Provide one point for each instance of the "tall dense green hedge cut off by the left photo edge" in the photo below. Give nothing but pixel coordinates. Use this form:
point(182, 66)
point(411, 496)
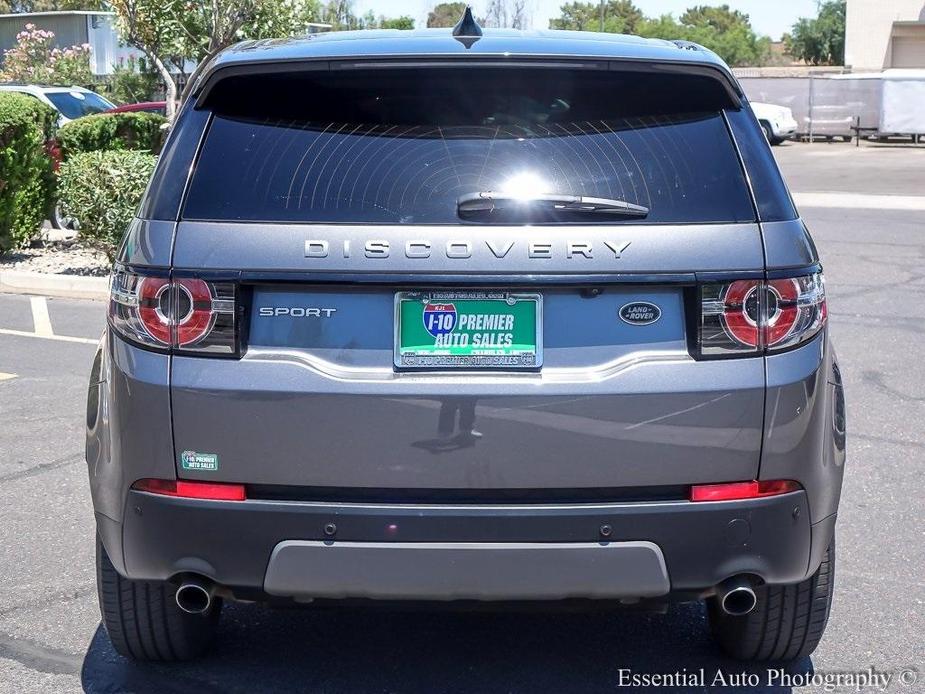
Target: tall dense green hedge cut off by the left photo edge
point(26, 175)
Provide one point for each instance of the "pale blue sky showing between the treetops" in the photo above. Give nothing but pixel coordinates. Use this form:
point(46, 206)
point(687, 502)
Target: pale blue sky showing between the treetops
point(770, 17)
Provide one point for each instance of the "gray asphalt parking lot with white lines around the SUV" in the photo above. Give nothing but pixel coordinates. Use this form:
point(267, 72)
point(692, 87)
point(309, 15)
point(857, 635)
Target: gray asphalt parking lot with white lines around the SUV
point(866, 209)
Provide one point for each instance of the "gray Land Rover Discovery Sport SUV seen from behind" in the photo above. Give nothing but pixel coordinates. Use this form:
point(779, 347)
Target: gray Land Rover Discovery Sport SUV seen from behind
point(448, 315)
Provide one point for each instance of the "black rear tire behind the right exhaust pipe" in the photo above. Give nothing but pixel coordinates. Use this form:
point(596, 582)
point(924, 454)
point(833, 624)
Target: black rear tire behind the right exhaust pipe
point(786, 624)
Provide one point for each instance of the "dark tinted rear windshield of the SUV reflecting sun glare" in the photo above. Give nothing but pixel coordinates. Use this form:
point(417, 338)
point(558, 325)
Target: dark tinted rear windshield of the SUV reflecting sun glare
point(396, 146)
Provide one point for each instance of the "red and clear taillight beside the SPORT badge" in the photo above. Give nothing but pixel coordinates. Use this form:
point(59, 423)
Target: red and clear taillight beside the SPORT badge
point(190, 315)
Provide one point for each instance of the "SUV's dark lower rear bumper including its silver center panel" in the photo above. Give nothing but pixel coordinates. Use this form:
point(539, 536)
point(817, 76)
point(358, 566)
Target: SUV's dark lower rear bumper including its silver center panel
point(621, 550)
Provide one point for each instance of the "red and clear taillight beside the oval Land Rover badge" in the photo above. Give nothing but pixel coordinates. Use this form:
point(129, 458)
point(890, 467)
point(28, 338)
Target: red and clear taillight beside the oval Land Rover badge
point(750, 316)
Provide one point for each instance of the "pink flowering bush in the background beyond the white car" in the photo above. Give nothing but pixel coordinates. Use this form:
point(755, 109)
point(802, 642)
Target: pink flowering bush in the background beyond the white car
point(35, 59)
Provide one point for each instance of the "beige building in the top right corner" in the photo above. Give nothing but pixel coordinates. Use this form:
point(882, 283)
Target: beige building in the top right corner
point(883, 34)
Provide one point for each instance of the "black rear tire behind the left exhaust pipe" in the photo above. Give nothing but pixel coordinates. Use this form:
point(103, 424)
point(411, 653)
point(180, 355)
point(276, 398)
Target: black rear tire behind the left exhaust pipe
point(143, 620)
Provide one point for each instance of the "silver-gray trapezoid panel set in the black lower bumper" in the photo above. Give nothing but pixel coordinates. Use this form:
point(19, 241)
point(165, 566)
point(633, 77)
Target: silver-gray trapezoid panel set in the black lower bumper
point(466, 570)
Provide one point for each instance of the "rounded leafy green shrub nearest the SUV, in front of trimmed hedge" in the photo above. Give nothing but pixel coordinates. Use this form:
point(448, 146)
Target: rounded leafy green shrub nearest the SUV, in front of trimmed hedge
point(101, 190)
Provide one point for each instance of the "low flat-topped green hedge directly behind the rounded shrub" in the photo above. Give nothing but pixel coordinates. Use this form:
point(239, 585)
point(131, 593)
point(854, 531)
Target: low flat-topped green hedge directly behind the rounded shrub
point(113, 131)
